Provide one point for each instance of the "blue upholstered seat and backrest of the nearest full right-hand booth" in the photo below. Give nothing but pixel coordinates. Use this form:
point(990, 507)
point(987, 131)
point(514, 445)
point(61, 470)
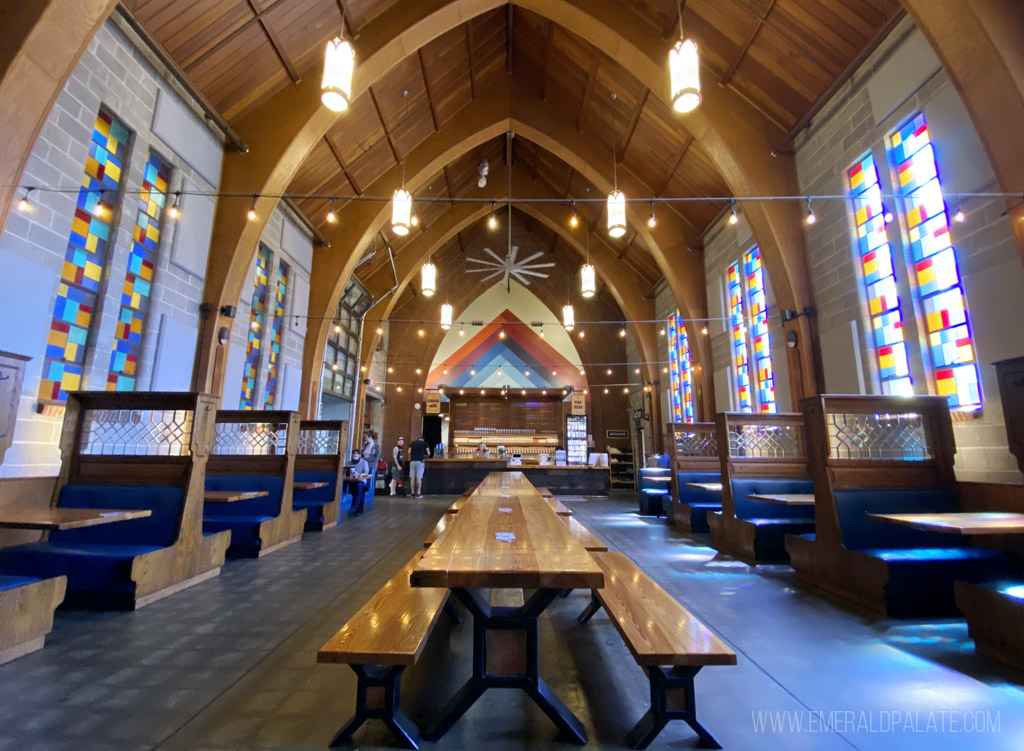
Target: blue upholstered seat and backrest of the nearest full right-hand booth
point(922, 565)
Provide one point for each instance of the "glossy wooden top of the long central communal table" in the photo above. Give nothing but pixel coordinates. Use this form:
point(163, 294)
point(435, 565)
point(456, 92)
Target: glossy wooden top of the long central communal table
point(540, 553)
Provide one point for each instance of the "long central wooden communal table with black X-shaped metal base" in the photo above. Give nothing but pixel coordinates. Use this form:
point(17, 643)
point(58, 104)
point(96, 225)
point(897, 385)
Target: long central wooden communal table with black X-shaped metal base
point(507, 537)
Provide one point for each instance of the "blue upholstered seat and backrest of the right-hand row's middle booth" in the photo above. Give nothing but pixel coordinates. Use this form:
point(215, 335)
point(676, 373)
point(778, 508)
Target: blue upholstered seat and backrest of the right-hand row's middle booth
point(774, 522)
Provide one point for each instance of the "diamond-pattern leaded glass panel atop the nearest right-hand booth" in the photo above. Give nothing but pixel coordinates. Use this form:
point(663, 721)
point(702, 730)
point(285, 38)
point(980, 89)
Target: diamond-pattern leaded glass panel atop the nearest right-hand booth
point(878, 438)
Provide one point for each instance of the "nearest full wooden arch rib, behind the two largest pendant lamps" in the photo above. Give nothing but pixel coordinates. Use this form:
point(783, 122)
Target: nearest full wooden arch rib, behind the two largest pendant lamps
point(285, 130)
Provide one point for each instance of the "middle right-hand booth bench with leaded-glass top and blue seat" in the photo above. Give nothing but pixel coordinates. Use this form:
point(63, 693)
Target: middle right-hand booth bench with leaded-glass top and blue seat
point(761, 455)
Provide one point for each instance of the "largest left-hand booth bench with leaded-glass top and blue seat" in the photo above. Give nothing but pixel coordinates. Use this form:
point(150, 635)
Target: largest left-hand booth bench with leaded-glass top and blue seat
point(113, 444)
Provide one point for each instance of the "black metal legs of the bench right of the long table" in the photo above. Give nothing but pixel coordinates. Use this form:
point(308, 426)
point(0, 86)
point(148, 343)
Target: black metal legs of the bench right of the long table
point(672, 697)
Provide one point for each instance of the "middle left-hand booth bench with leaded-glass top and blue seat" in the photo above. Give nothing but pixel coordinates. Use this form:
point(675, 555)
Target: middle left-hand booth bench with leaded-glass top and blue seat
point(254, 451)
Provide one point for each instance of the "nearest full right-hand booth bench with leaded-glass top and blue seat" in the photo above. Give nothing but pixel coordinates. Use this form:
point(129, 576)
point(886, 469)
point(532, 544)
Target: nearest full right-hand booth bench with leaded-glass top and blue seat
point(885, 455)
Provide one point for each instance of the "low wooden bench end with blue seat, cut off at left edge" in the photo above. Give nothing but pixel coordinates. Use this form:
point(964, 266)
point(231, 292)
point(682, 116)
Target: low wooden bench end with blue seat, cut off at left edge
point(27, 606)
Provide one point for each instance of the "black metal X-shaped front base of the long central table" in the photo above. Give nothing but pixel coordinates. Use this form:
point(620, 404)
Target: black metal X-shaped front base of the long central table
point(523, 676)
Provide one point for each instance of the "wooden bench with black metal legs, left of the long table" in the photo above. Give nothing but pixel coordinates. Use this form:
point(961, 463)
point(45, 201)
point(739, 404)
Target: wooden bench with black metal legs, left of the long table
point(379, 643)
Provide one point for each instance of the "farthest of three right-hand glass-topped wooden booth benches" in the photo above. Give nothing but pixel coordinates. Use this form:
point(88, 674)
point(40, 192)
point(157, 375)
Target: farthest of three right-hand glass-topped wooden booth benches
point(695, 460)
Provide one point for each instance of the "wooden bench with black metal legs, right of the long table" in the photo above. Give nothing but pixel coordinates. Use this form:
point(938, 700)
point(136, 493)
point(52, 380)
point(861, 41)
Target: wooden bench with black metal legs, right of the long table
point(665, 640)
